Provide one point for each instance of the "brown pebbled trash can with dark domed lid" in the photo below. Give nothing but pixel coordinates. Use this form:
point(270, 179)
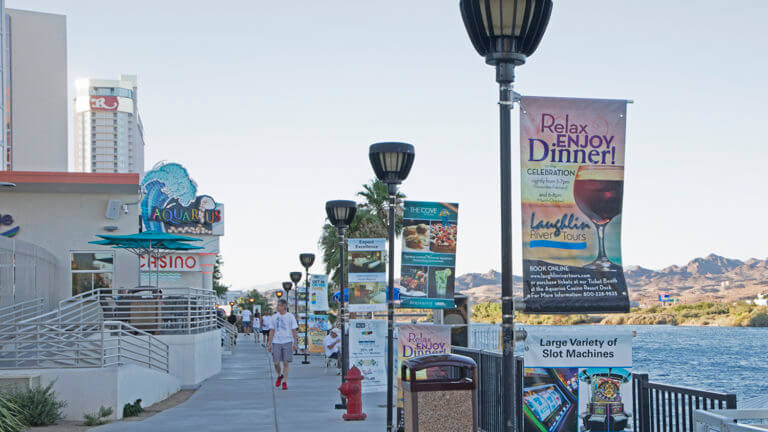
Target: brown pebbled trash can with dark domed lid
point(440, 393)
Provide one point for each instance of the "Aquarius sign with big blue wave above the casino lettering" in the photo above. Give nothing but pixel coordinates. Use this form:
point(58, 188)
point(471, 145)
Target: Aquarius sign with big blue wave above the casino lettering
point(170, 203)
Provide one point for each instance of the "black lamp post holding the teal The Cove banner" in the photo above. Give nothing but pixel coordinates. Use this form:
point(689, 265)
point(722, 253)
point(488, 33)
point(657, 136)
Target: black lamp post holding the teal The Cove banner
point(392, 162)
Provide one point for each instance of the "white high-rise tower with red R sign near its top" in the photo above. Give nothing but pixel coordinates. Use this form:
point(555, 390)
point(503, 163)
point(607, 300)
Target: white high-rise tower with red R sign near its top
point(108, 133)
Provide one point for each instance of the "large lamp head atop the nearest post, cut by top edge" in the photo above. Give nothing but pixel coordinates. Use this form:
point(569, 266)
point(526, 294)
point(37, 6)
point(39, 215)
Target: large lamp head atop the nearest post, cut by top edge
point(510, 32)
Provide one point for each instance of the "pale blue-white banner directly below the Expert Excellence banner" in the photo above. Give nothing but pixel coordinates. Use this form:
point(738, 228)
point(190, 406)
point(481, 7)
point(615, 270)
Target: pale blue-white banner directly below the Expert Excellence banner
point(368, 352)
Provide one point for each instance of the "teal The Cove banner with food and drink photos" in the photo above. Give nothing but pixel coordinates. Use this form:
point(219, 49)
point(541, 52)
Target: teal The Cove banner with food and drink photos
point(428, 265)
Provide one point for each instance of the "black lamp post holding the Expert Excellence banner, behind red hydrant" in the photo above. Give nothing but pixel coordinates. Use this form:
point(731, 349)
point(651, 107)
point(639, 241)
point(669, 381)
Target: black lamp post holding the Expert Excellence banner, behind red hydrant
point(340, 214)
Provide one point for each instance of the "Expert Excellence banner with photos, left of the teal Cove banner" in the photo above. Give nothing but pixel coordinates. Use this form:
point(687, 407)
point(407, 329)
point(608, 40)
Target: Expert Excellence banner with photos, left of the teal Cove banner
point(367, 277)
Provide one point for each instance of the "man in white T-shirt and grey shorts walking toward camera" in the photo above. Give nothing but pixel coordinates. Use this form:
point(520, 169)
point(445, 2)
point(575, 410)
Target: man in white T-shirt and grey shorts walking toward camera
point(282, 337)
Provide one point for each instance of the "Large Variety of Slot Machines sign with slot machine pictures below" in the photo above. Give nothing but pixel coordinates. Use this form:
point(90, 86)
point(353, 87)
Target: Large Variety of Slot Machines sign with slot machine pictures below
point(577, 379)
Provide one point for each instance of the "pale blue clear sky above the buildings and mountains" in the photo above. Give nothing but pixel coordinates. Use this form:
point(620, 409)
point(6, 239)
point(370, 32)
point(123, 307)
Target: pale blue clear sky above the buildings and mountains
point(272, 107)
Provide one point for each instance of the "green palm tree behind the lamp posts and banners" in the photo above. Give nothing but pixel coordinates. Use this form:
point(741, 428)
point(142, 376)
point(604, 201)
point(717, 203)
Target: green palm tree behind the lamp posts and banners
point(370, 222)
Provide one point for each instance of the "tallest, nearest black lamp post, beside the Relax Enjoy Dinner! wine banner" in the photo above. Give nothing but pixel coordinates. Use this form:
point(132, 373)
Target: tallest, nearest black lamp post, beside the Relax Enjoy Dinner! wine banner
point(506, 32)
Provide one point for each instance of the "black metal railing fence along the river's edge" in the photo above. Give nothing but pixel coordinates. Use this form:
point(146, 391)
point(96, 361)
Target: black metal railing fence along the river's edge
point(658, 407)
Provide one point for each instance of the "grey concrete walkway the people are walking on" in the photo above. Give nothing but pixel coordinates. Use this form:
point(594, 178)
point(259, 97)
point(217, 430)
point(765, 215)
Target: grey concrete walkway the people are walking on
point(243, 398)
